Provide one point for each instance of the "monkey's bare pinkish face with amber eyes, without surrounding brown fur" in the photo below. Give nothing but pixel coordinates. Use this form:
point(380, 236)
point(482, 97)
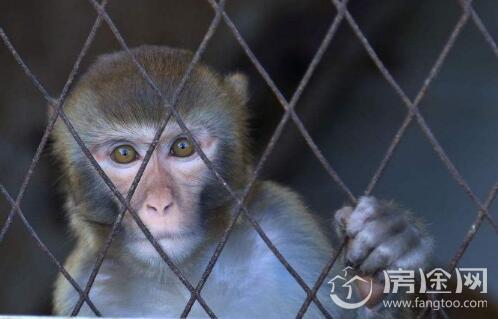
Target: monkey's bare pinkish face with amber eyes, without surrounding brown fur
point(168, 197)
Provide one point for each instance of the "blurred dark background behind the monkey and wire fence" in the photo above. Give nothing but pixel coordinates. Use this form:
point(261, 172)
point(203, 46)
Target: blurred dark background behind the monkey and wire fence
point(349, 109)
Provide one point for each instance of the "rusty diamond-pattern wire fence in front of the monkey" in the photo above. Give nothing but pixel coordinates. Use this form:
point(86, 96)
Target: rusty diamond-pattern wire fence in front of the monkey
point(288, 106)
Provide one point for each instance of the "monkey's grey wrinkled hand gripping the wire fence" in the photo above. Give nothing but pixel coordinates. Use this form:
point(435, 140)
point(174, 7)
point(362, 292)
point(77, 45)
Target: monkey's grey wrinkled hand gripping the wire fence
point(381, 236)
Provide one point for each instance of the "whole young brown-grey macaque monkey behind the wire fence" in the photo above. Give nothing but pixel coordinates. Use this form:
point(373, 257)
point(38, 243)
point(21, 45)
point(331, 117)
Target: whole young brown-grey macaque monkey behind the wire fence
point(116, 113)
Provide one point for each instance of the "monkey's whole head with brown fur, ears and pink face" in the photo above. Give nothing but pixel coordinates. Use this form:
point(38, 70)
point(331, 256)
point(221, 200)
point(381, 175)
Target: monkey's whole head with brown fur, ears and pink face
point(117, 112)
